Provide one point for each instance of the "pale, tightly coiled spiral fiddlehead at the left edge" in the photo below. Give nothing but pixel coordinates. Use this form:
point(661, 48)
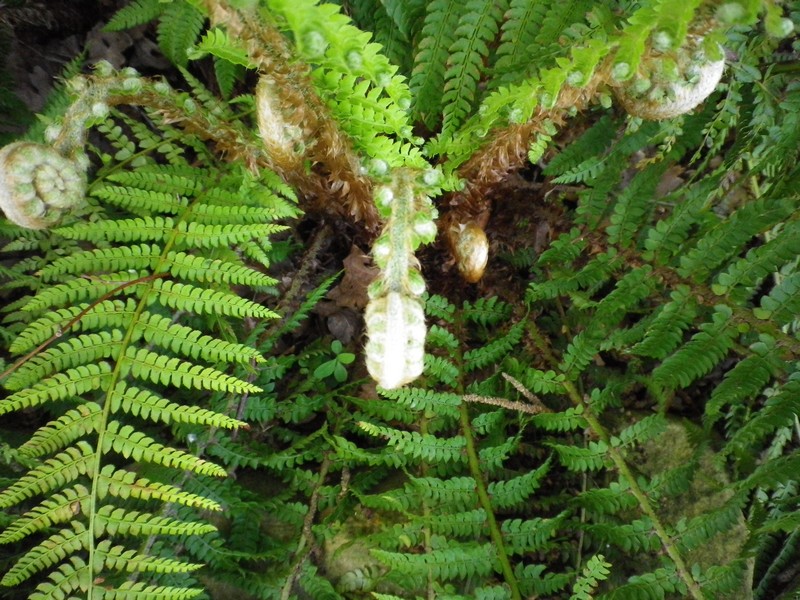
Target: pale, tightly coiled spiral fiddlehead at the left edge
point(38, 185)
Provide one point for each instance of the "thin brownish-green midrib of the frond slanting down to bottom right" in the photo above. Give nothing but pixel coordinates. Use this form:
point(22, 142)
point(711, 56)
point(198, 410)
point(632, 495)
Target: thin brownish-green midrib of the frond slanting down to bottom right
point(622, 467)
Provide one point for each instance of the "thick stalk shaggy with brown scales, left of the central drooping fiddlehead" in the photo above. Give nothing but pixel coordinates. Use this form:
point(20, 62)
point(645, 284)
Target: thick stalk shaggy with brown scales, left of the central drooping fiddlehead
point(335, 184)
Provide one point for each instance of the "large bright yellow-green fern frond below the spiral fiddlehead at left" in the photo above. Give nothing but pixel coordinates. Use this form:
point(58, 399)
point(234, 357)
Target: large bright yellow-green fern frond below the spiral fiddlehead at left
point(129, 354)
